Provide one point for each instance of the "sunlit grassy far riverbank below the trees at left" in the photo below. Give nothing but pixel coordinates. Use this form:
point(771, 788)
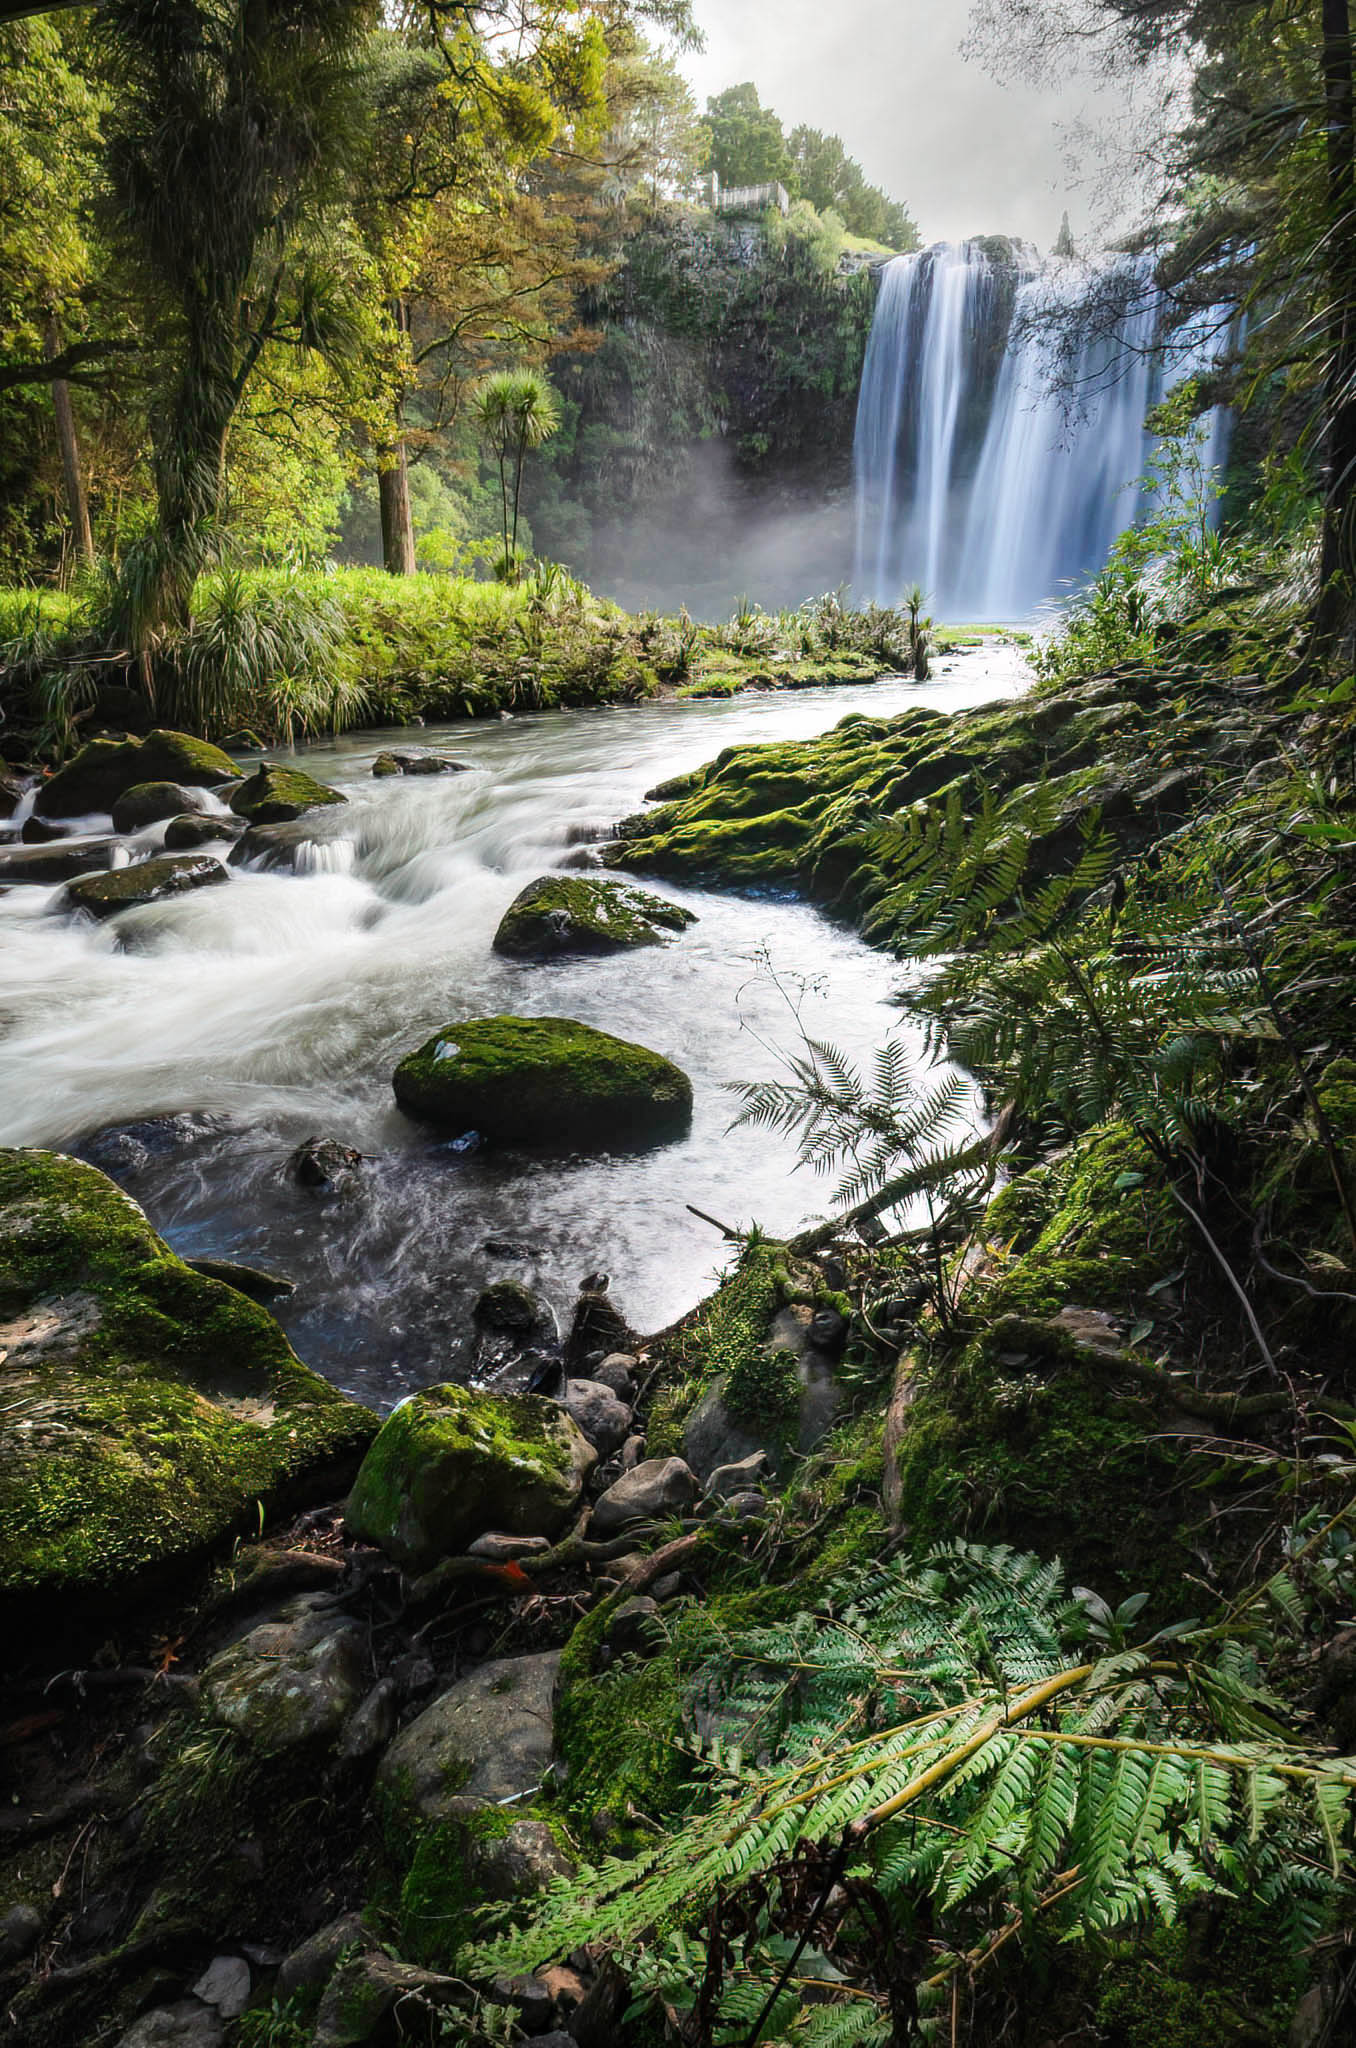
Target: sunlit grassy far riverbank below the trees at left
point(292, 656)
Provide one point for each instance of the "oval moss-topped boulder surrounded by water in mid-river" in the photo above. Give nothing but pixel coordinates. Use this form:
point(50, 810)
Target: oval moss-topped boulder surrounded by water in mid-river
point(544, 1082)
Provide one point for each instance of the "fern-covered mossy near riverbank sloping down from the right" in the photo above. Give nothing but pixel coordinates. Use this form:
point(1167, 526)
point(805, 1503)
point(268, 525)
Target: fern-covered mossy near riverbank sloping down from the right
point(1117, 1334)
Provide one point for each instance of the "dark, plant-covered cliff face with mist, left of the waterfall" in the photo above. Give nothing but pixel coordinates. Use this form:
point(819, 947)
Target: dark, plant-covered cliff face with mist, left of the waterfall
point(708, 447)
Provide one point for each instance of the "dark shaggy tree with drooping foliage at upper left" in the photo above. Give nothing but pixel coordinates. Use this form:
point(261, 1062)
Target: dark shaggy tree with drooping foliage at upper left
point(230, 132)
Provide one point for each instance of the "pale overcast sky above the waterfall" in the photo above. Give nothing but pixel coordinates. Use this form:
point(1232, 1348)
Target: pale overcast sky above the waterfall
point(966, 153)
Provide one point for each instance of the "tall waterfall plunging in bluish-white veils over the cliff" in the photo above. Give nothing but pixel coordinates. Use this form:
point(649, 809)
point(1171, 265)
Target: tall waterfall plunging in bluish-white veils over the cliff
point(982, 474)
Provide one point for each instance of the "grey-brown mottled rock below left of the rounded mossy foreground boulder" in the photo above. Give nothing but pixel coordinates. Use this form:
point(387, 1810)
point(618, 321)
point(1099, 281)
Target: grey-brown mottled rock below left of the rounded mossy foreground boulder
point(292, 1680)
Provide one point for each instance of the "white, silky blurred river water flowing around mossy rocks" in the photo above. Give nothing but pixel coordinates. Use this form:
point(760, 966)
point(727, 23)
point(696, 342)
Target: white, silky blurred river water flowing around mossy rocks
point(192, 1046)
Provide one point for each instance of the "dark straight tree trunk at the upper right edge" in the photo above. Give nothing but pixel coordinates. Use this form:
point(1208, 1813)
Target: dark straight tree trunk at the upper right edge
point(1339, 556)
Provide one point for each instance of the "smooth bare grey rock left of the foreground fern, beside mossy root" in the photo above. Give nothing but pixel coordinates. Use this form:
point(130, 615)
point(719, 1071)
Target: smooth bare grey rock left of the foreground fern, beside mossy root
point(484, 1740)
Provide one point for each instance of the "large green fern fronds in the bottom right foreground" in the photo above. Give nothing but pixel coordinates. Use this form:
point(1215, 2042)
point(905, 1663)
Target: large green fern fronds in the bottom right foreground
point(956, 1736)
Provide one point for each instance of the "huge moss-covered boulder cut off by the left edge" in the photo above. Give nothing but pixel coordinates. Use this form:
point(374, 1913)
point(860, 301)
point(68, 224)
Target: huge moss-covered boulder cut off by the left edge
point(144, 1410)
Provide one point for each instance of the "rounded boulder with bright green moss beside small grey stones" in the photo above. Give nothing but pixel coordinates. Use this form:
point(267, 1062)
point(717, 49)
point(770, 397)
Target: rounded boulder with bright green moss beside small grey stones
point(454, 1463)
